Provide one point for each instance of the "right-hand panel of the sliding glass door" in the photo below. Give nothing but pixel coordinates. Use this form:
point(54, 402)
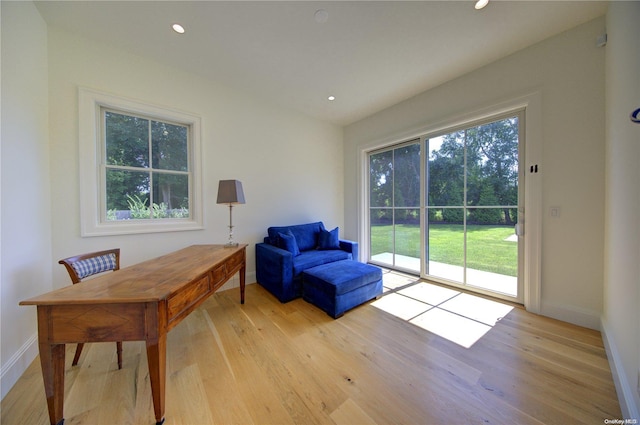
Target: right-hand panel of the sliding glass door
point(472, 206)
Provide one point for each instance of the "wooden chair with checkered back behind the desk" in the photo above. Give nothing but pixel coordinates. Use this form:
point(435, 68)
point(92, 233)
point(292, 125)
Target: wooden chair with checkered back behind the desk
point(85, 265)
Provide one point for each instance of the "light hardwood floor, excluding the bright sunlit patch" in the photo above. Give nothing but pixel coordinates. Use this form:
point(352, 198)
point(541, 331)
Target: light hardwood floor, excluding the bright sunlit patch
point(270, 363)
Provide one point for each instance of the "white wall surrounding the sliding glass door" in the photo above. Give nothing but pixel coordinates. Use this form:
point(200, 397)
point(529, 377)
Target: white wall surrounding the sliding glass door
point(568, 73)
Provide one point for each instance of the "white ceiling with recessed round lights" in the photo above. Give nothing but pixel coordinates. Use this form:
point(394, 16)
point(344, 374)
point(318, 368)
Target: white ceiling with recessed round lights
point(368, 54)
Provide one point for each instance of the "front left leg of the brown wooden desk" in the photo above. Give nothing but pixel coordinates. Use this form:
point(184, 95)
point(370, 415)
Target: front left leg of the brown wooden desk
point(52, 362)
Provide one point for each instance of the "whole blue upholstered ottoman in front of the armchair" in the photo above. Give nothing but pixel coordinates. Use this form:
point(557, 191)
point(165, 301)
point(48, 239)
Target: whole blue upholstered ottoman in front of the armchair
point(340, 286)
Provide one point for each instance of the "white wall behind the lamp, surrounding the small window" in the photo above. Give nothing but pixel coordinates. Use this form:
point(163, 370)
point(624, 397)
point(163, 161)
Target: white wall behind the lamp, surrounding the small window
point(290, 165)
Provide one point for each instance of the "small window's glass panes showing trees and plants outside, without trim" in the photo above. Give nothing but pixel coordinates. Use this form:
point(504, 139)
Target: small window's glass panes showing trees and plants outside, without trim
point(146, 168)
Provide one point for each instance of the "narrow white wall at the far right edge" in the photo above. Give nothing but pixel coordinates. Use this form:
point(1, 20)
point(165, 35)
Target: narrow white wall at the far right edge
point(621, 318)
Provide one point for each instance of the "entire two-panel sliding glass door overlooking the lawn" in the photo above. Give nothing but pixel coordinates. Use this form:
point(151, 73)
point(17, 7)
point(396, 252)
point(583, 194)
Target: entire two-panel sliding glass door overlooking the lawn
point(462, 229)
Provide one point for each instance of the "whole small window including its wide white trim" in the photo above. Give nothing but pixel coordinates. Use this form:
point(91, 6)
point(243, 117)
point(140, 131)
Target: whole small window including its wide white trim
point(138, 167)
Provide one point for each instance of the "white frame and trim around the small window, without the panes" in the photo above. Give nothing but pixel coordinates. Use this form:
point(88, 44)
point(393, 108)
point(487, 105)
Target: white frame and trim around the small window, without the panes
point(92, 186)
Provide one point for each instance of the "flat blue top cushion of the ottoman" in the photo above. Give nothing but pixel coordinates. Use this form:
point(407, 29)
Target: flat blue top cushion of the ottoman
point(340, 277)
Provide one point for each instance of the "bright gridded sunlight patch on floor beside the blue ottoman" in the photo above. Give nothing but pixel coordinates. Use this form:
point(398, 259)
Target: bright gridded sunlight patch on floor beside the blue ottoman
point(459, 317)
